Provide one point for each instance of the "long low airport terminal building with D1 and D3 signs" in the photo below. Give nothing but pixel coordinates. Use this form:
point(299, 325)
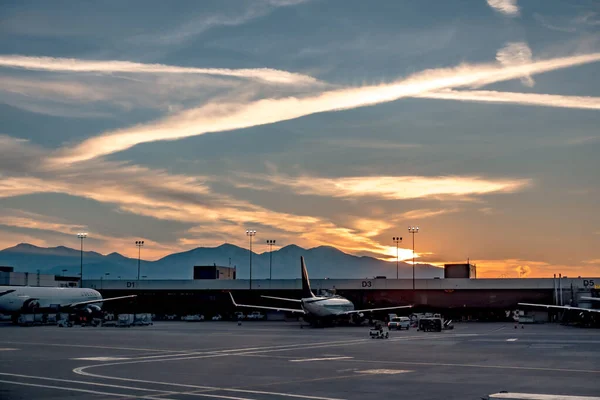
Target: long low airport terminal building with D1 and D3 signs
point(459, 294)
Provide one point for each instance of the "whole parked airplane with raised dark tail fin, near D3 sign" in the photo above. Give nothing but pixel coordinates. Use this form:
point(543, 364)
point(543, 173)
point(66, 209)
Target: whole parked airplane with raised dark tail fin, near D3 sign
point(318, 310)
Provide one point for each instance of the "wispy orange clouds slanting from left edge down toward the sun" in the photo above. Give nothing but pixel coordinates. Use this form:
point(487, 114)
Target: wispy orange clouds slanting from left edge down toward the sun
point(187, 199)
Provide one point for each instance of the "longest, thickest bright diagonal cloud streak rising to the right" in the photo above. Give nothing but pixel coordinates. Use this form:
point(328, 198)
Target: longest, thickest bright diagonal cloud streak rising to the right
point(217, 117)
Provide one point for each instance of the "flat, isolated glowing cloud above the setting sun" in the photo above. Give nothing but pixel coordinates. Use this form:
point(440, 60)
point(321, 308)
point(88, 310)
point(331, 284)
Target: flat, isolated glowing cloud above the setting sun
point(386, 187)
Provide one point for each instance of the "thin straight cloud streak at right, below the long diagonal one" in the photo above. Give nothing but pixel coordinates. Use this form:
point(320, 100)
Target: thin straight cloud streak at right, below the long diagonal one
point(532, 99)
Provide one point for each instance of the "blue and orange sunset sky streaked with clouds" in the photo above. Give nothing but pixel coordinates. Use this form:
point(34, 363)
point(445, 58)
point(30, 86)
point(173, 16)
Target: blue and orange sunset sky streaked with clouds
point(313, 122)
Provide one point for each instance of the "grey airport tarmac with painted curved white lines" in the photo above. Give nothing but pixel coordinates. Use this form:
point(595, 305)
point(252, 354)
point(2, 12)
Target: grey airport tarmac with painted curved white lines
point(278, 360)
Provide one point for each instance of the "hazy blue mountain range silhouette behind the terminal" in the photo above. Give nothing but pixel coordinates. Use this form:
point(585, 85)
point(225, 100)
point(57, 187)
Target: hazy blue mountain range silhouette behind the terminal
point(322, 262)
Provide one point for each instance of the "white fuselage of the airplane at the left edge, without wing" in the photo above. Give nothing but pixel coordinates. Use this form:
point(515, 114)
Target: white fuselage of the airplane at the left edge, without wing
point(11, 303)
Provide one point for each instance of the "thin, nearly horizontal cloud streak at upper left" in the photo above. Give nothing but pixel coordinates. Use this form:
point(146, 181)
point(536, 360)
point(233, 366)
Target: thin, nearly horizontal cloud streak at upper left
point(113, 66)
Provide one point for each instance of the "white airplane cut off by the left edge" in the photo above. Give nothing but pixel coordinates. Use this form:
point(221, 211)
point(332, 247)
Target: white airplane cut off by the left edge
point(16, 300)
